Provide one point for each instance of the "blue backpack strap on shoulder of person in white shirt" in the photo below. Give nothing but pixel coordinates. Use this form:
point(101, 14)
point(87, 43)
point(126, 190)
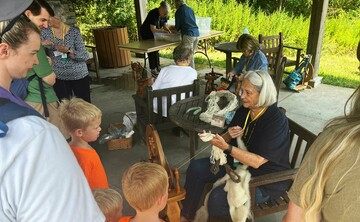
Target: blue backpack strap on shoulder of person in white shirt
point(10, 111)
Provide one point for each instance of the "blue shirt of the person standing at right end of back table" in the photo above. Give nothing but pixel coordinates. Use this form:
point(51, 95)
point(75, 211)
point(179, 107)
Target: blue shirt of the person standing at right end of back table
point(185, 21)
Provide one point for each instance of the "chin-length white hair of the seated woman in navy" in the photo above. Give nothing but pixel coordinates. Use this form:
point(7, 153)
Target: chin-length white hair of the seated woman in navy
point(264, 84)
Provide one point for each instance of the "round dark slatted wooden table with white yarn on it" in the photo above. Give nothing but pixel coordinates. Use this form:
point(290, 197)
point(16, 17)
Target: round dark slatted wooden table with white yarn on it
point(190, 122)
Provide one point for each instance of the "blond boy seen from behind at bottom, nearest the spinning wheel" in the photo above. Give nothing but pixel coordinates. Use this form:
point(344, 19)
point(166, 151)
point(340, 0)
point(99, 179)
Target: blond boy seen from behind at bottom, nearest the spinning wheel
point(145, 187)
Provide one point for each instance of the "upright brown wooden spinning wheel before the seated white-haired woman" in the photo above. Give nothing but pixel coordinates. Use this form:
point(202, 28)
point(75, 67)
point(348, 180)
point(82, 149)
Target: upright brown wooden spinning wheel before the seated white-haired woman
point(156, 155)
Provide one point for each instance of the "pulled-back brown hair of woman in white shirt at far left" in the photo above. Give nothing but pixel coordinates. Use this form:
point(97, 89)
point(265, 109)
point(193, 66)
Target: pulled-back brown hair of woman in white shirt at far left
point(19, 33)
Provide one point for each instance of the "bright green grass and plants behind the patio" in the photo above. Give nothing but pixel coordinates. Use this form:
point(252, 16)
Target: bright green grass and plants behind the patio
point(342, 30)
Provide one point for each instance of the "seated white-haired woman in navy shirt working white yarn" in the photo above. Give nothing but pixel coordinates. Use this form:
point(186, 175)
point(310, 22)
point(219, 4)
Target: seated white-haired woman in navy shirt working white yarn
point(265, 132)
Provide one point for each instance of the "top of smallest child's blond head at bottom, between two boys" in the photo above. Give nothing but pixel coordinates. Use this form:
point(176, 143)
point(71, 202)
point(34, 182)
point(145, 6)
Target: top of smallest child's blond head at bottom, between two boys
point(110, 203)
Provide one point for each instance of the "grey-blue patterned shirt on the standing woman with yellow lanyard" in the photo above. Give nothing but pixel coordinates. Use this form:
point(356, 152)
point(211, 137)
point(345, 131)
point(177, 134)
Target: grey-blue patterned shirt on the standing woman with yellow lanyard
point(73, 68)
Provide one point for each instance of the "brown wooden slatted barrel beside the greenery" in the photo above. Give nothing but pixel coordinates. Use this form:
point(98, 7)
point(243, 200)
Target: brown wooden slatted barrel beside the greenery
point(107, 40)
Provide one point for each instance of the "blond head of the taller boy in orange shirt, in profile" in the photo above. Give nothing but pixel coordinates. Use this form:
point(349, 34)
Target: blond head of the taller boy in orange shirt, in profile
point(81, 118)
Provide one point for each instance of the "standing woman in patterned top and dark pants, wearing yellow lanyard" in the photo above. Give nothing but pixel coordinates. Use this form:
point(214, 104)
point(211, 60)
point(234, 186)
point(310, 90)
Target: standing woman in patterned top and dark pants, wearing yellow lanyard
point(69, 55)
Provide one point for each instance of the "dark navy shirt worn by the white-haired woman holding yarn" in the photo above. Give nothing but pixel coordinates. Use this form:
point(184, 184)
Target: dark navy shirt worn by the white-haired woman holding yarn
point(269, 137)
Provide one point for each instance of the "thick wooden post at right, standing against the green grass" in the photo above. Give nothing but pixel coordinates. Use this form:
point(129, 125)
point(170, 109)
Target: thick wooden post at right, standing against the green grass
point(316, 34)
